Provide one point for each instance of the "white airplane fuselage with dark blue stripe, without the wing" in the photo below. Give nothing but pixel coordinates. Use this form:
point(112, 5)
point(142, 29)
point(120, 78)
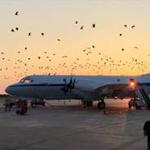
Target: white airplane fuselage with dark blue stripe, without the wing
point(60, 87)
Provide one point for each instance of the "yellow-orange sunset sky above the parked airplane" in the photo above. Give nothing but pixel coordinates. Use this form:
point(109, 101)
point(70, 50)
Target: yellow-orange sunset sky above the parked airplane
point(117, 45)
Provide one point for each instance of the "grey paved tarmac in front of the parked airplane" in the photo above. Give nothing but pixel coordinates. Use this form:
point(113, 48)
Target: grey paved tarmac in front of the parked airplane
point(72, 127)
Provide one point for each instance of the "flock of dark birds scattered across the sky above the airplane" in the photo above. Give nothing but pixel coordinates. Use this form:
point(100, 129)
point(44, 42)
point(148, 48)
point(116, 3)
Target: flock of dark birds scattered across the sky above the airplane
point(74, 66)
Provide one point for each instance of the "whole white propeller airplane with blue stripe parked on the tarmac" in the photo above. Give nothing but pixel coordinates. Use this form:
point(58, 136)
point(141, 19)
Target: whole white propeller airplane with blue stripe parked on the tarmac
point(84, 88)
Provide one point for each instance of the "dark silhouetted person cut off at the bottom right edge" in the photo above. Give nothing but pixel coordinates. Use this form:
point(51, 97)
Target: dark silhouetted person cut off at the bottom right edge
point(146, 129)
